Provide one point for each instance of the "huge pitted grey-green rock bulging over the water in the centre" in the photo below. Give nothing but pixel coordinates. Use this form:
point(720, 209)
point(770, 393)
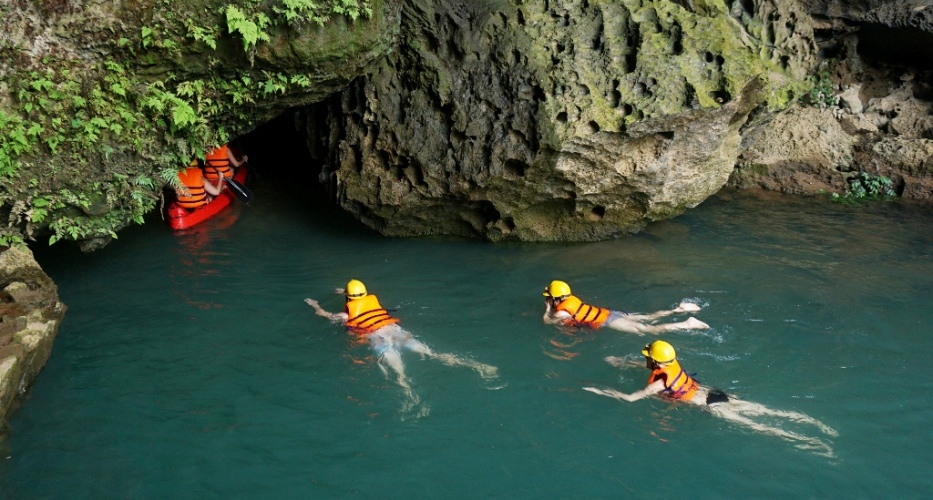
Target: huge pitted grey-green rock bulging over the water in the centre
point(558, 120)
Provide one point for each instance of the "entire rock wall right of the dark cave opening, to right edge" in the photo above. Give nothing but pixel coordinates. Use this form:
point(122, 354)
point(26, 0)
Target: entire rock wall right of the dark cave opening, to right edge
point(575, 120)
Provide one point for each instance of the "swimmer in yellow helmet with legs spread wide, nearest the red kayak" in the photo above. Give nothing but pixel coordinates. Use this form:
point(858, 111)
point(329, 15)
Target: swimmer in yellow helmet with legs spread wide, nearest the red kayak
point(363, 316)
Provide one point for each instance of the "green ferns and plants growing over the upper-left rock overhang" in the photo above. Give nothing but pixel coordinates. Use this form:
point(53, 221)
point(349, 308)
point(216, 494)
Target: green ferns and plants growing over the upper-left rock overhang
point(89, 119)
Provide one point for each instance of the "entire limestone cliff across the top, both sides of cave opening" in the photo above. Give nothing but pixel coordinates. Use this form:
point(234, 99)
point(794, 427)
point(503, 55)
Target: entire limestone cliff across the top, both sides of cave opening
point(502, 119)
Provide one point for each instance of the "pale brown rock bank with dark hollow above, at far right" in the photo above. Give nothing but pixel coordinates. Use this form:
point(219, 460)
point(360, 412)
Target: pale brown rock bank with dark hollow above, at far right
point(877, 116)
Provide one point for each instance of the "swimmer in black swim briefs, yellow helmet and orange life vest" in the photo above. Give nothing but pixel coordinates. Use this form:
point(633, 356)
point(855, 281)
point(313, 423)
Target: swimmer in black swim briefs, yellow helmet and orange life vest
point(670, 381)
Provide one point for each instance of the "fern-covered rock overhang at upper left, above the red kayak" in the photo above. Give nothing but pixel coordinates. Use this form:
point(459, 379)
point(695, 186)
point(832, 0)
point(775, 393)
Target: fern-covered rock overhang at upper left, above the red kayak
point(101, 102)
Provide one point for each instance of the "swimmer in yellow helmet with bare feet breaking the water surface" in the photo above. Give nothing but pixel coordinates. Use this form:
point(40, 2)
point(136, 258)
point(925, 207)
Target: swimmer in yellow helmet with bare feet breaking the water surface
point(563, 308)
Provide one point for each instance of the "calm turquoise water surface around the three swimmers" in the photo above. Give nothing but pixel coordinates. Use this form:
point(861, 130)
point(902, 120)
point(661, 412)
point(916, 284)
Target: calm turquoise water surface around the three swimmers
point(188, 366)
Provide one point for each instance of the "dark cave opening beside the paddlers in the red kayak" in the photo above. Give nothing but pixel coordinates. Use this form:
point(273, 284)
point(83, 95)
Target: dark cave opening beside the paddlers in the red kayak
point(279, 153)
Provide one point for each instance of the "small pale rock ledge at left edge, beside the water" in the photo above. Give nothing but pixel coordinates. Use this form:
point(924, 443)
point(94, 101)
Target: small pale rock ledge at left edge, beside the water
point(30, 315)
